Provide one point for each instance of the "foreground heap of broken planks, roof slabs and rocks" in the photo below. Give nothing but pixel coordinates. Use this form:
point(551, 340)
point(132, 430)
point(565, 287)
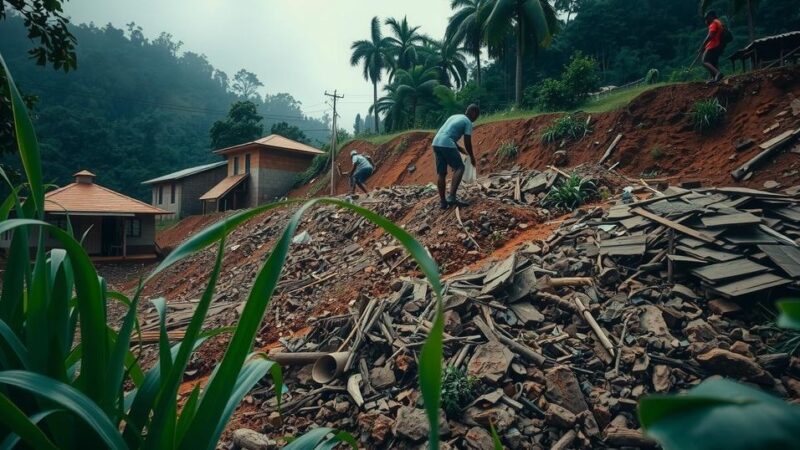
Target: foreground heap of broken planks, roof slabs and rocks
point(554, 345)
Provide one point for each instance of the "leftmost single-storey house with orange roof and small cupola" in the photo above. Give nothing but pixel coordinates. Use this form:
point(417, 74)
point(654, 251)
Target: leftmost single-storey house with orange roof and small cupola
point(109, 223)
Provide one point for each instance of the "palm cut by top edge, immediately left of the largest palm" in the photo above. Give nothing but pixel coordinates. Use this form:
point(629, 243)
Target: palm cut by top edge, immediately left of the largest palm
point(466, 26)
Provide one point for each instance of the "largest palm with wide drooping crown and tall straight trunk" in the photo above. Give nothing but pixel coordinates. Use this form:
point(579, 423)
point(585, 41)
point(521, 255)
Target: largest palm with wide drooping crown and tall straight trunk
point(532, 21)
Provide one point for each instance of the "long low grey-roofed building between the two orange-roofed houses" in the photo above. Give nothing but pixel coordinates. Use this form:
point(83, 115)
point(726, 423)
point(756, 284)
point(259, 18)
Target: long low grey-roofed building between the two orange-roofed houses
point(179, 192)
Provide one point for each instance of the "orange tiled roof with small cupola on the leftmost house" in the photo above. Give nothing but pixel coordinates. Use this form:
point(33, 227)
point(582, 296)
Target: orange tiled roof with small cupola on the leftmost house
point(92, 198)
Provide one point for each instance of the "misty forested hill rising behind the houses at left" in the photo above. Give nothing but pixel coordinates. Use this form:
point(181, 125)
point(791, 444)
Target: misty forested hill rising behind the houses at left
point(134, 108)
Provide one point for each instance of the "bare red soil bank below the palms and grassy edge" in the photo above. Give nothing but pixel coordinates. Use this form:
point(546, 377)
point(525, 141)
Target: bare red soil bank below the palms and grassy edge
point(658, 138)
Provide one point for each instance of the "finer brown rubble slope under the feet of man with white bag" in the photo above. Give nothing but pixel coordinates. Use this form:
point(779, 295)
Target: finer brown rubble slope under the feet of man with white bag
point(341, 254)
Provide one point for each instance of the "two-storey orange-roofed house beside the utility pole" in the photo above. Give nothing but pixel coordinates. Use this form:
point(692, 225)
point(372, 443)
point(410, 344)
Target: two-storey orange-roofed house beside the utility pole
point(258, 172)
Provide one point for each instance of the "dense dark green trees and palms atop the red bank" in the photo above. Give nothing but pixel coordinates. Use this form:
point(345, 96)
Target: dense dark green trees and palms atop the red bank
point(602, 42)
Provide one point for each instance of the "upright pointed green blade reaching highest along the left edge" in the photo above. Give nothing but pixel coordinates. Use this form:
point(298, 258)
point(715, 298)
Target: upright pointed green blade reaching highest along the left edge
point(26, 142)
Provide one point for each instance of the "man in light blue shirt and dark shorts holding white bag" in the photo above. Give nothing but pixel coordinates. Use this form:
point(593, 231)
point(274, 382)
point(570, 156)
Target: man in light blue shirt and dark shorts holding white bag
point(446, 150)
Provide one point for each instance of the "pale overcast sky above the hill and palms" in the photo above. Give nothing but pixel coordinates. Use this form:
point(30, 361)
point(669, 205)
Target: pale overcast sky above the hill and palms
point(297, 46)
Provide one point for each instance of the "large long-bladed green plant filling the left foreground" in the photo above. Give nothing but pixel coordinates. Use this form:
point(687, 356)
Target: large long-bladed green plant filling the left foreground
point(62, 392)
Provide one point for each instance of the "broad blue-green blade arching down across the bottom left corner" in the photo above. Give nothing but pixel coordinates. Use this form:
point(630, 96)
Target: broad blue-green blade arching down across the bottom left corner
point(69, 398)
